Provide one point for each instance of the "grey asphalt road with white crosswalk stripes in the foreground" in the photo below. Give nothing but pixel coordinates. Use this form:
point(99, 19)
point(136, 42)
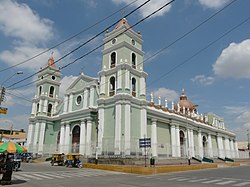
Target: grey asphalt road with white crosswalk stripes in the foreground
point(42, 174)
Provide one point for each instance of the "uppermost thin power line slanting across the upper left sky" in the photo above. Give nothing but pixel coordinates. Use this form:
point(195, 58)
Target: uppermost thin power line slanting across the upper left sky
point(68, 39)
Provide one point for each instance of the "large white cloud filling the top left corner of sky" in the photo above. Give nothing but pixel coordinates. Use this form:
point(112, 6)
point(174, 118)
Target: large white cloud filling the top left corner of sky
point(18, 20)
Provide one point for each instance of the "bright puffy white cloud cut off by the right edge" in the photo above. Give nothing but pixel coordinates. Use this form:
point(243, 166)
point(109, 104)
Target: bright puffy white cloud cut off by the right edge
point(234, 61)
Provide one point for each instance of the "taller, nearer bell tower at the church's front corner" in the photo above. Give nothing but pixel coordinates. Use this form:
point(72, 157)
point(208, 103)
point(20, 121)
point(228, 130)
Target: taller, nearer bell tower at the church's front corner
point(122, 102)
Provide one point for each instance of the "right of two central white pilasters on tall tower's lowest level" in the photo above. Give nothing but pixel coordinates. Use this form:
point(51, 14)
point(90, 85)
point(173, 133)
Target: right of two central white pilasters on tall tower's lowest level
point(127, 134)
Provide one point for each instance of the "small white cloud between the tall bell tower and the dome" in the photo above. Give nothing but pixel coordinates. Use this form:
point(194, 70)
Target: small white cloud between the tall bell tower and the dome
point(165, 93)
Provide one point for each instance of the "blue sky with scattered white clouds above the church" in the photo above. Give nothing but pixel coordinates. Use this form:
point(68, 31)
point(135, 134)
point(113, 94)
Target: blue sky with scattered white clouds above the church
point(202, 46)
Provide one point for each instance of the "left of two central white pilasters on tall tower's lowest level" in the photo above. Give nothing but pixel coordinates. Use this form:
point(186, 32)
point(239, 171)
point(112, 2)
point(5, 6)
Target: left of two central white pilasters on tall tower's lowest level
point(117, 128)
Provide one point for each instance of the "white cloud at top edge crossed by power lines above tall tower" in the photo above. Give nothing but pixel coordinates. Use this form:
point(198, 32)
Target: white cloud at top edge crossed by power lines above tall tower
point(149, 7)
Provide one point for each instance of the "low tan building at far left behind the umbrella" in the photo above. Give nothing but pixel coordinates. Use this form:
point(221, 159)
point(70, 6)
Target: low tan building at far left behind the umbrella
point(18, 136)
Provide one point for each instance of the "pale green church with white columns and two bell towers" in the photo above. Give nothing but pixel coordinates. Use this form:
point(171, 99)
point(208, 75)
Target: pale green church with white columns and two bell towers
point(109, 114)
